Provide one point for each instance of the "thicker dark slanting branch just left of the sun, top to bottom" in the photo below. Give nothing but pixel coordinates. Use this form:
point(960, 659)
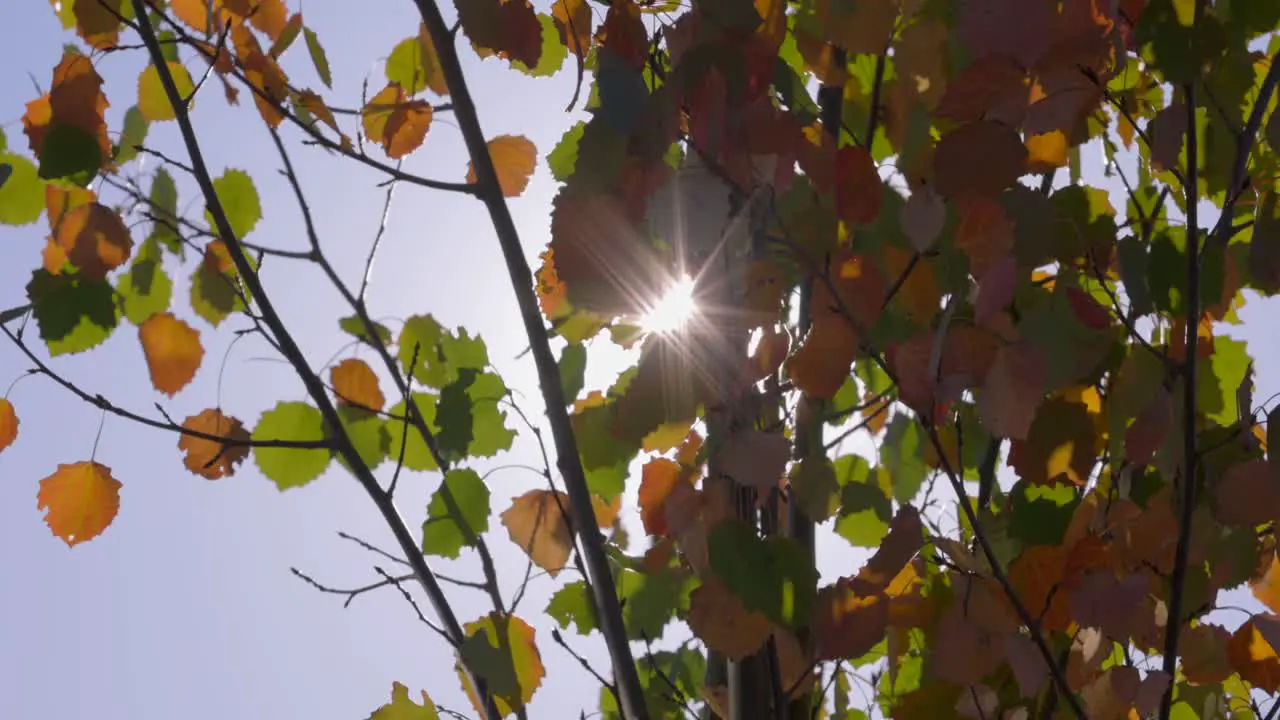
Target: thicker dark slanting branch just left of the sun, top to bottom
point(630, 692)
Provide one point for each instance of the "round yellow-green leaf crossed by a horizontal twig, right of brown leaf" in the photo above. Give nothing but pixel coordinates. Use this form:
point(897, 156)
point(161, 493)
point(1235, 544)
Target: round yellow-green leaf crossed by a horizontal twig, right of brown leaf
point(291, 467)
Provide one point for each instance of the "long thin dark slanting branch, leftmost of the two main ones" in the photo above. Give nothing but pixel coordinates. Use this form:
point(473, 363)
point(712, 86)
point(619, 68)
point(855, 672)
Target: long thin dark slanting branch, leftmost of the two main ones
point(291, 350)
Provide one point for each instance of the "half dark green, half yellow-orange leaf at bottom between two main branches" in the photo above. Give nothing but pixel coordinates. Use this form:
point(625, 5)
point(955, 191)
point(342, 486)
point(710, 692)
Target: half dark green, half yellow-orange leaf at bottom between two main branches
point(501, 649)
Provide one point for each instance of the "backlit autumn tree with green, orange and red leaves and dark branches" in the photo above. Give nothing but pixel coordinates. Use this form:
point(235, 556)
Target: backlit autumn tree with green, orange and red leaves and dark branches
point(1067, 464)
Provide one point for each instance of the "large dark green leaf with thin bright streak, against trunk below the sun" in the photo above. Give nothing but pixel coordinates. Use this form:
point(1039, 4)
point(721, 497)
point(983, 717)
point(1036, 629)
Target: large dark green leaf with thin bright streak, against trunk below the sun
point(770, 576)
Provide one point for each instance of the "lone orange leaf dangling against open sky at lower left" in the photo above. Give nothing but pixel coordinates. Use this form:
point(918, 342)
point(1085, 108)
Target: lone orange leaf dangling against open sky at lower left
point(81, 500)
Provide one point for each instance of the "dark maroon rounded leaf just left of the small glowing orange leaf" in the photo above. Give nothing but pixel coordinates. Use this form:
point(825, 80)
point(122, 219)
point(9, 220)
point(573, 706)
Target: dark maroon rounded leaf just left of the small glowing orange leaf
point(981, 158)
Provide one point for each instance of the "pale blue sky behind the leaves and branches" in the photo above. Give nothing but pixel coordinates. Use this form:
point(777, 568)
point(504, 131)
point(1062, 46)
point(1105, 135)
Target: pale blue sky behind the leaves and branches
point(186, 607)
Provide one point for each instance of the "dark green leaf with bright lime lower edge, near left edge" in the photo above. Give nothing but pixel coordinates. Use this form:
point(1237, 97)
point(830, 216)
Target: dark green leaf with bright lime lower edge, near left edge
point(74, 315)
